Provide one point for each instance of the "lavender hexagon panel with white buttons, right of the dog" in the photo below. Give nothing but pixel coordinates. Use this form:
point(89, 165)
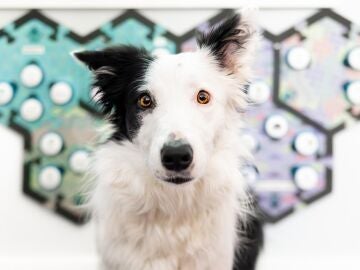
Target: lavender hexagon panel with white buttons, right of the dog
point(291, 157)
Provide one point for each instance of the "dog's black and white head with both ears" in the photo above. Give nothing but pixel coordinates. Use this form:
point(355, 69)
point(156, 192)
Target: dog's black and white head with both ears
point(175, 108)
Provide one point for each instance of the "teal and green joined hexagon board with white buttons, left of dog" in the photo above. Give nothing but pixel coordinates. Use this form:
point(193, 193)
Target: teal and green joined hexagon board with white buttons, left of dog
point(53, 107)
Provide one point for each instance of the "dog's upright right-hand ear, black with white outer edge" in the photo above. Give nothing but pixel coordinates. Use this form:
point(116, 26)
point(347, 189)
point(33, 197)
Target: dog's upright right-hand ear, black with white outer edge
point(232, 42)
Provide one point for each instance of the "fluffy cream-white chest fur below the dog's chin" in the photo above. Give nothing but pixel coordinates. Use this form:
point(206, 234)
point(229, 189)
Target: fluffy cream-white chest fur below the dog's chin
point(157, 226)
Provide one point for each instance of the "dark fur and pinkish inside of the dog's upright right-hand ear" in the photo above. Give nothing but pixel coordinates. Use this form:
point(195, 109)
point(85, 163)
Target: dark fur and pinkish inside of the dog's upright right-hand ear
point(225, 39)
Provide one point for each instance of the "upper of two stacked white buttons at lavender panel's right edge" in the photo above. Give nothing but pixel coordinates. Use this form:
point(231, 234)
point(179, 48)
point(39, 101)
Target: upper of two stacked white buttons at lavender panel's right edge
point(306, 143)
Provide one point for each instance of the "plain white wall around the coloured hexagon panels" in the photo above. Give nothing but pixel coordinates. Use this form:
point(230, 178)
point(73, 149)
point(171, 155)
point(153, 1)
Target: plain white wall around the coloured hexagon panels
point(323, 236)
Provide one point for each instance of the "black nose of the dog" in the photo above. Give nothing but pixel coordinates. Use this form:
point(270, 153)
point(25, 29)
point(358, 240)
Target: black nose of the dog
point(176, 156)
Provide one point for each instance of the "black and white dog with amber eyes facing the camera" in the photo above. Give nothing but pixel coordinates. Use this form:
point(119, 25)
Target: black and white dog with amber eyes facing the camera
point(169, 194)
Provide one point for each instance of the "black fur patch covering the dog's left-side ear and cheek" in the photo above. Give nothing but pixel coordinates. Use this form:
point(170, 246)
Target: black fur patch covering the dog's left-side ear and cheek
point(119, 73)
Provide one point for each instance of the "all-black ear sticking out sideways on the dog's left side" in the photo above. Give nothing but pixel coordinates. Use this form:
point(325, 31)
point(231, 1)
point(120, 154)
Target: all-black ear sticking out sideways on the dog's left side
point(116, 71)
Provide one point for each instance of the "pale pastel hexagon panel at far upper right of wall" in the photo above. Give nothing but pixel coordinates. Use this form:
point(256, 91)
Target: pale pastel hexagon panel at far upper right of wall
point(312, 71)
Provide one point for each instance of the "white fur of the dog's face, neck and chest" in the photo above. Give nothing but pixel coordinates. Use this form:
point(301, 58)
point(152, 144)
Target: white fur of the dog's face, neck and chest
point(144, 223)
